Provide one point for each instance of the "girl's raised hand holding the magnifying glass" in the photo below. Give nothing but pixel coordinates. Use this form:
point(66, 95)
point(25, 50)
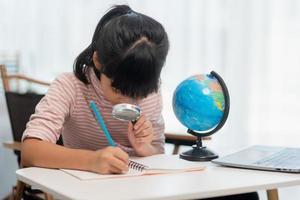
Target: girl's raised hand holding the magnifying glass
point(140, 136)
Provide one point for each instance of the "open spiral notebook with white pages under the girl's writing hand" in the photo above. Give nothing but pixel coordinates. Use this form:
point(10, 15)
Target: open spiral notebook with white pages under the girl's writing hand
point(151, 165)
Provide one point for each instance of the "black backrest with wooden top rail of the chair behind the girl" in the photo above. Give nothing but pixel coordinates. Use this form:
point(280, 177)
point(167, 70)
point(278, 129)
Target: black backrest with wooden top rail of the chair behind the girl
point(20, 105)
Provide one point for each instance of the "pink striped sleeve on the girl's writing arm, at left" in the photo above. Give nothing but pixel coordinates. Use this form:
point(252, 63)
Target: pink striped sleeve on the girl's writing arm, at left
point(53, 110)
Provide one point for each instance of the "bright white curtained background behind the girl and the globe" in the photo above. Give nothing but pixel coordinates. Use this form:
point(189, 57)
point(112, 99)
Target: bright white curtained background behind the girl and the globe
point(253, 44)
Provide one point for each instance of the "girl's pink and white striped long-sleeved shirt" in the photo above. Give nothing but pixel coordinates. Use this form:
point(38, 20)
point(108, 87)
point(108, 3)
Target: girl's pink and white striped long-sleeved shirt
point(65, 110)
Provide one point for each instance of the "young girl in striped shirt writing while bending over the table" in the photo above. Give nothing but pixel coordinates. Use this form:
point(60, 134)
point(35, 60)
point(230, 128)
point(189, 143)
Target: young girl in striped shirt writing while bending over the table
point(121, 65)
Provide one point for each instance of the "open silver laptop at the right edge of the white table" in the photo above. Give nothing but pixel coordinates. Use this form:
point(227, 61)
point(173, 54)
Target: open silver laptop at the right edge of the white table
point(262, 157)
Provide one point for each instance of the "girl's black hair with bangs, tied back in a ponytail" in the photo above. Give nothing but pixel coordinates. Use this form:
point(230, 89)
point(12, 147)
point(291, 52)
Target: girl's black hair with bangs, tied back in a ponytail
point(131, 48)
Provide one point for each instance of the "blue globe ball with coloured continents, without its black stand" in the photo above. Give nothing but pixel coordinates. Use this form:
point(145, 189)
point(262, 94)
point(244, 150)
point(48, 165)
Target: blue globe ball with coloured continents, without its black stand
point(198, 102)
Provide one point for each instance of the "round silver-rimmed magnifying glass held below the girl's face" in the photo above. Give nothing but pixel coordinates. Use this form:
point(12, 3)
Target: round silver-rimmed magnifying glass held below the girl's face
point(126, 112)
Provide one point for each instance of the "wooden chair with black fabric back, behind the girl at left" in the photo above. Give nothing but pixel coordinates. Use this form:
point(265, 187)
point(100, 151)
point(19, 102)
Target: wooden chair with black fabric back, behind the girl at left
point(20, 107)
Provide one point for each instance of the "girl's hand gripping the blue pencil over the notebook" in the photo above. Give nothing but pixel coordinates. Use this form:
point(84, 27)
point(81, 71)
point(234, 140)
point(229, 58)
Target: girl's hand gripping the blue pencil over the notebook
point(110, 160)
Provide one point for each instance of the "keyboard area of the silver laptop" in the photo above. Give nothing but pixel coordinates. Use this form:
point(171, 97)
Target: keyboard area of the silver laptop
point(288, 158)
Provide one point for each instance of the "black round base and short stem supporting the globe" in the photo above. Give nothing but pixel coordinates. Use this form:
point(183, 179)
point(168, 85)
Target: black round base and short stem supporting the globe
point(199, 152)
